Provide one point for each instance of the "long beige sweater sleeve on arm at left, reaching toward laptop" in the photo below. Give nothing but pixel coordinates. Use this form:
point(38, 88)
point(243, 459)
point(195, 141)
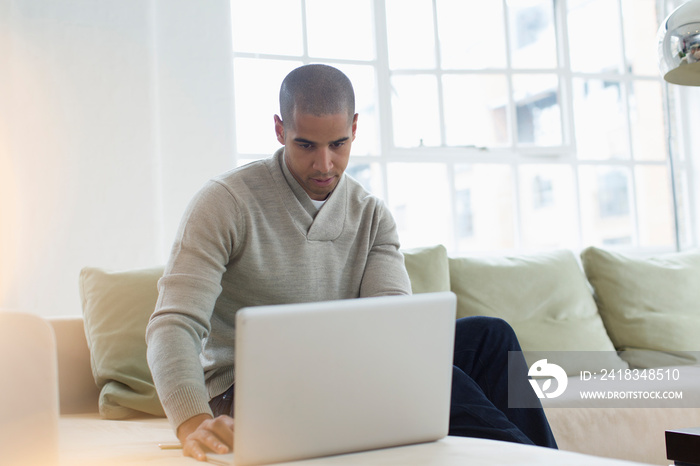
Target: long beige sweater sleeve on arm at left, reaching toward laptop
point(188, 292)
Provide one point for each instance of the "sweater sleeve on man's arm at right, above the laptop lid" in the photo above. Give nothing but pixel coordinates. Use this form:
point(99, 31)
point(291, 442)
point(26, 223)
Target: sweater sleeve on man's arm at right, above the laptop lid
point(385, 272)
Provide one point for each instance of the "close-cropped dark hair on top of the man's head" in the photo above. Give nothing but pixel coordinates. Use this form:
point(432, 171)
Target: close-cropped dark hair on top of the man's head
point(316, 90)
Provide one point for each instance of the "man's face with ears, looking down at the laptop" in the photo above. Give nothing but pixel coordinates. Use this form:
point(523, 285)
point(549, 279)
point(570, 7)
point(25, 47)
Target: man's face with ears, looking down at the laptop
point(317, 149)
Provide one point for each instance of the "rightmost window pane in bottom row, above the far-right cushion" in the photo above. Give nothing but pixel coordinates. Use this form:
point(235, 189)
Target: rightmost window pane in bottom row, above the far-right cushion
point(655, 206)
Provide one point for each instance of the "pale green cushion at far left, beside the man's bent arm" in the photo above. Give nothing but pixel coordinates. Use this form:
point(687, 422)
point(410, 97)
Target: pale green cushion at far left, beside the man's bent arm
point(116, 309)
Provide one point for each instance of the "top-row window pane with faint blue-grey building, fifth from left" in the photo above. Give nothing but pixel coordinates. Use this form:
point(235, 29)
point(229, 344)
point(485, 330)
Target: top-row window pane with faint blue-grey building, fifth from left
point(532, 33)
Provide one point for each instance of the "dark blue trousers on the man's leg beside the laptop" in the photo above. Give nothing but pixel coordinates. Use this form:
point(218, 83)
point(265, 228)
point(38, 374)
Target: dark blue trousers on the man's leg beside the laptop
point(480, 386)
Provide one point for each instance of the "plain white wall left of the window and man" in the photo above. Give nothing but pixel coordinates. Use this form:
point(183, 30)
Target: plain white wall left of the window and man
point(112, 114)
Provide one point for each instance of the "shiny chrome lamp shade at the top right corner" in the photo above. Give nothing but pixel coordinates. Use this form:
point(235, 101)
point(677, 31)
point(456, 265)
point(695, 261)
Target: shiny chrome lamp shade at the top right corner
point(679, 45)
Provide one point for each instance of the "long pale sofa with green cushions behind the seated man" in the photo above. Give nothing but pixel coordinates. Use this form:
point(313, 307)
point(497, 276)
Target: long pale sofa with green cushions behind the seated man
point(600, 311)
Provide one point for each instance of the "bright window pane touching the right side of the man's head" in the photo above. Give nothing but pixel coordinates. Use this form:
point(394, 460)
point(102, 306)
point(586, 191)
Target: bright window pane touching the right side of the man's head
point(366, 93)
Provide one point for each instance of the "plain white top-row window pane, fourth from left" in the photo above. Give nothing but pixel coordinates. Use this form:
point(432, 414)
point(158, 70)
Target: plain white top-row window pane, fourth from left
point(472, 35)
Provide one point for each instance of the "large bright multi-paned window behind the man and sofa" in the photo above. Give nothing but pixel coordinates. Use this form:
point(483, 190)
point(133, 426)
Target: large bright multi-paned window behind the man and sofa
point(485, 126)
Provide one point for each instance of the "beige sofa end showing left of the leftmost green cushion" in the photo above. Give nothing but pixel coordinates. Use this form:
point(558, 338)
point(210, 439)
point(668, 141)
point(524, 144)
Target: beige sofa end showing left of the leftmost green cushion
point(77, 390)
